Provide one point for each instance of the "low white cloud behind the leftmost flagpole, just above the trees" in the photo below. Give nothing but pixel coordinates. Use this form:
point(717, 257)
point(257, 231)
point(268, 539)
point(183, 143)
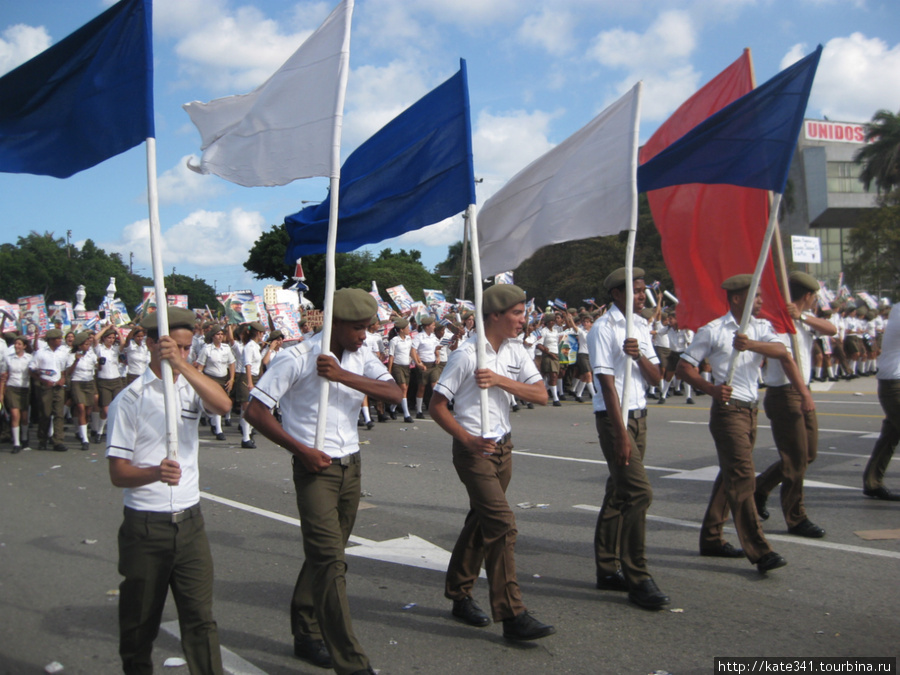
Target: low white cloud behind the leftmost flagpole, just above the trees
point(204, 238)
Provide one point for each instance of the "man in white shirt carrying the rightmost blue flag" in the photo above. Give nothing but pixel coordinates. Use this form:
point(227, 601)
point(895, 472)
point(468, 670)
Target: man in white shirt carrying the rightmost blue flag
point(732, 420)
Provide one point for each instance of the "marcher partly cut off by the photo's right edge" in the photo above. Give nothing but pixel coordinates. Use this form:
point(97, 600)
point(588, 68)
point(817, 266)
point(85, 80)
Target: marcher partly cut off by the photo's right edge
point(889, 397)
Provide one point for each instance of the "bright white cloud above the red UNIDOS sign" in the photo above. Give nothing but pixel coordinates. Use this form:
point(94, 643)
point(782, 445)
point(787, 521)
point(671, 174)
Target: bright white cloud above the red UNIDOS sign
point(856, 77)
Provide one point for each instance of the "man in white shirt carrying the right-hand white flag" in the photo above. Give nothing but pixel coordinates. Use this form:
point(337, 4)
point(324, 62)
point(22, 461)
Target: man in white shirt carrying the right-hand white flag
point(620, 533)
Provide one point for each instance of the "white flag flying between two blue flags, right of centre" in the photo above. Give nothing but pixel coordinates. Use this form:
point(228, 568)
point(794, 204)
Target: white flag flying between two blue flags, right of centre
point(584, 187)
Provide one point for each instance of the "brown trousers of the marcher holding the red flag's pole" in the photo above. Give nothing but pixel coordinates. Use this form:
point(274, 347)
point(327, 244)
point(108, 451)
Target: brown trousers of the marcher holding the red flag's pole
point(796, 437)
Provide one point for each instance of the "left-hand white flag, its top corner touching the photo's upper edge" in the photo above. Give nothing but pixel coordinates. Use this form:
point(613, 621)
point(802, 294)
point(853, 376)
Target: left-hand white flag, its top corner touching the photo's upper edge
point(285, 128)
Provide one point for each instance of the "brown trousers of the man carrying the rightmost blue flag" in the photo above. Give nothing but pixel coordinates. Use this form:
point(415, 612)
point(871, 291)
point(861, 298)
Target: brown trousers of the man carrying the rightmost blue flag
point(733, 429)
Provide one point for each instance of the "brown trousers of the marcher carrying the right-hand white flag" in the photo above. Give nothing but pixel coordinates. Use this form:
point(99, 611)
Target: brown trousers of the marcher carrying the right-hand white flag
point(621, 526)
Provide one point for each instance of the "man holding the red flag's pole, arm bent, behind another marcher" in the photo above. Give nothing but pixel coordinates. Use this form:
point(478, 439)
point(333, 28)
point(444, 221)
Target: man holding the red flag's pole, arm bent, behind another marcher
point(793, 414)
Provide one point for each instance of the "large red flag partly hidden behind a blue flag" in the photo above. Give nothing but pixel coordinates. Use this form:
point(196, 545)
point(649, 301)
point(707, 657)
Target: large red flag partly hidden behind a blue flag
point(711, 232)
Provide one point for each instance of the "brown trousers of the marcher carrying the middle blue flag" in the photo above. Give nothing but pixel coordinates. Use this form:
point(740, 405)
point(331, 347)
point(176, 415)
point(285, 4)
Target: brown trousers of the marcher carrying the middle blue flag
point(489, 533)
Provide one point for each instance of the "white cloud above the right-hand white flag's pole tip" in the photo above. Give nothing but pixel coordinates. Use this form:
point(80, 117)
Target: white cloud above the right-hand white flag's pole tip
point(659, 57)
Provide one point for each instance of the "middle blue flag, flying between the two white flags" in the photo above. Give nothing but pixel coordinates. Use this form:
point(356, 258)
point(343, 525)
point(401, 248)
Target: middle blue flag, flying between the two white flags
point(414, 172)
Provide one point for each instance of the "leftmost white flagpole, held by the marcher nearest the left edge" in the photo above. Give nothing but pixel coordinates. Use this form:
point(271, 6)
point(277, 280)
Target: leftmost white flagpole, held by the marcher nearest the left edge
point(161, 304)
